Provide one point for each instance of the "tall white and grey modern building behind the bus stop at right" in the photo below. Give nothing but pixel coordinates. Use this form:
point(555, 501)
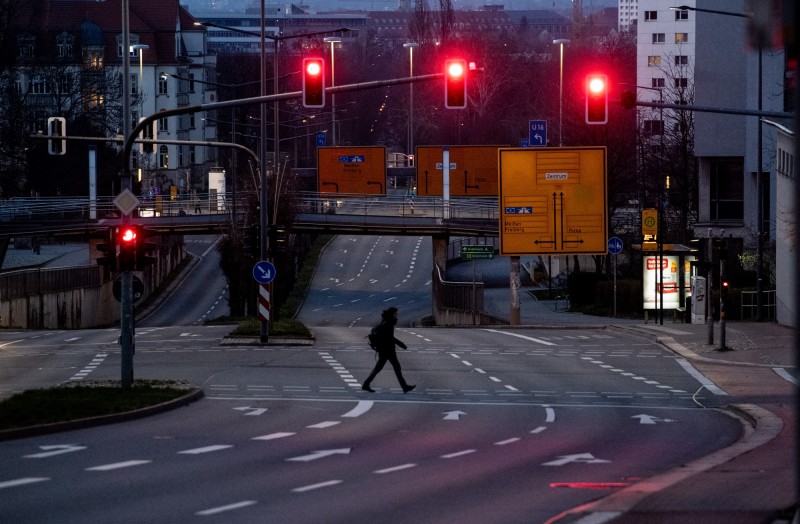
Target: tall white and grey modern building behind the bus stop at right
point(706, 54)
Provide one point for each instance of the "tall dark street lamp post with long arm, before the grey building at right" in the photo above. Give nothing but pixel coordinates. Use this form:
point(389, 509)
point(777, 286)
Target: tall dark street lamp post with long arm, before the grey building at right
point(760, 161)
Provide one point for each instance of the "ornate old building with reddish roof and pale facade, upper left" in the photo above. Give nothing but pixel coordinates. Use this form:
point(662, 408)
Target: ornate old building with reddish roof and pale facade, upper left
point(68, 62)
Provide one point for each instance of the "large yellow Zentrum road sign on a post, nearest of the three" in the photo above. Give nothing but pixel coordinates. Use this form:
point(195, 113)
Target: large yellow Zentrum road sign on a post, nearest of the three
point(553, 201)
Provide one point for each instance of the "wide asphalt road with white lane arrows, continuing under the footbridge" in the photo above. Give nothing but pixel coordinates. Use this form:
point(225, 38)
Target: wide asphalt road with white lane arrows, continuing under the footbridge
point(506, 425)
